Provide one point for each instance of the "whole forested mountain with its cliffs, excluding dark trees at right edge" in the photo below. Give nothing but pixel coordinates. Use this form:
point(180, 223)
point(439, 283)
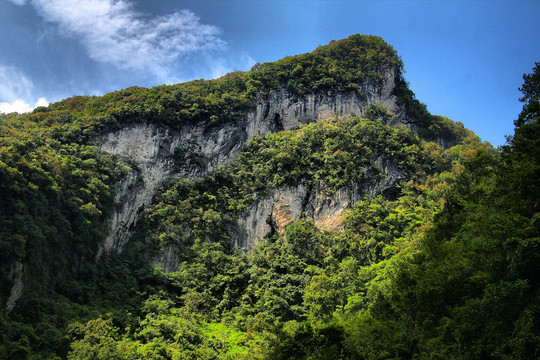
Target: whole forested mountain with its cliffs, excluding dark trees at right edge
point(234, 218)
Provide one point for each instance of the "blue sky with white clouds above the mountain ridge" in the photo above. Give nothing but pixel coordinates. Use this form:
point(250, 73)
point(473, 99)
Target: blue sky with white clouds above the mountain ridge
point(463, 59)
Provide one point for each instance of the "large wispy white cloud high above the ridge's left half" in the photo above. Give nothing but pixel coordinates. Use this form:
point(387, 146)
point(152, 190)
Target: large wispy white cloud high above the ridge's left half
point(114, 32)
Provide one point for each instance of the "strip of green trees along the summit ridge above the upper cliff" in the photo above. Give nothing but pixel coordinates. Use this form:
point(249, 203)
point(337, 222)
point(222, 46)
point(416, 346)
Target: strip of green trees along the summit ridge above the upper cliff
point(341, 66)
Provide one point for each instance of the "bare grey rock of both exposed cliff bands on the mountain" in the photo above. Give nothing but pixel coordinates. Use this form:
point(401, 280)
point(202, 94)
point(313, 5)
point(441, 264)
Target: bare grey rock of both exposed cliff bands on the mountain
point(159, 152)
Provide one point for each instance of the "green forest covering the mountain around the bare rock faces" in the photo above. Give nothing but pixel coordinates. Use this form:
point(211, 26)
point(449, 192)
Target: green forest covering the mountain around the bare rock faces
point(442, 265)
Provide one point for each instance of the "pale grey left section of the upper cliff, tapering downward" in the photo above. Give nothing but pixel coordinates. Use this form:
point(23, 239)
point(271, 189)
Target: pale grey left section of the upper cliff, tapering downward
point(156, 154)
